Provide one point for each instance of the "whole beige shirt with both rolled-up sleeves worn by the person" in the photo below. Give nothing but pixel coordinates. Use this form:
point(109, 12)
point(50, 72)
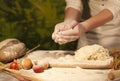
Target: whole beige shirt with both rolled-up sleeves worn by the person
point(107, 35)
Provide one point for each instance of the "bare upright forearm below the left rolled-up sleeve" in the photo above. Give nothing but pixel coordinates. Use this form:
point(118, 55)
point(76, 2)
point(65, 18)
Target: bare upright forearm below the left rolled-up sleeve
point(72, 14)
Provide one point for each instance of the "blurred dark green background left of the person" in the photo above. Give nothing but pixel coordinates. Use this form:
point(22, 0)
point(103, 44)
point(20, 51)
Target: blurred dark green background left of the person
point(32, 22)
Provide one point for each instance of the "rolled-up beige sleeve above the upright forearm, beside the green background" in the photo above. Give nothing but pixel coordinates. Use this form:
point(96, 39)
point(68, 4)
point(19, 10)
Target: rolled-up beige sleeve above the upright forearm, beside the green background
point(76, 4)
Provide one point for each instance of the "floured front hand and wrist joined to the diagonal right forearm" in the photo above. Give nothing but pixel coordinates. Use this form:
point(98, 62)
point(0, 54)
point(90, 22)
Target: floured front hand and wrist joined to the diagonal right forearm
point(72, 34)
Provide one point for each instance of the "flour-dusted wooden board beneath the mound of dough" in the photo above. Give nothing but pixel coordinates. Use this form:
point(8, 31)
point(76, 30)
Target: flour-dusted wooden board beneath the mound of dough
point(65, 59)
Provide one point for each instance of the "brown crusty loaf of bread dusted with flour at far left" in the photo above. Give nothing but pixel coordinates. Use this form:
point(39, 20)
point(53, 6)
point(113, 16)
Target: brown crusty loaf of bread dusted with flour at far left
point(11, 49)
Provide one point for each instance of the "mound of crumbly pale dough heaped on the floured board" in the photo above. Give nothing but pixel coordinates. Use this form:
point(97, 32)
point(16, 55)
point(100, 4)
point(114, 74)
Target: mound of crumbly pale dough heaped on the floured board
point(92, 52)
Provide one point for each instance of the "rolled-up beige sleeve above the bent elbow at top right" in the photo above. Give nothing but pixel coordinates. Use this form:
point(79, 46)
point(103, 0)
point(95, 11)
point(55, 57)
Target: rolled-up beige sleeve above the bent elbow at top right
point(114, 7)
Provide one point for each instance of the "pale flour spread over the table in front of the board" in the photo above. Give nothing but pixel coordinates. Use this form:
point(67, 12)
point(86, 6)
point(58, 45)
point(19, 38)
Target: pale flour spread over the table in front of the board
point(69, 74)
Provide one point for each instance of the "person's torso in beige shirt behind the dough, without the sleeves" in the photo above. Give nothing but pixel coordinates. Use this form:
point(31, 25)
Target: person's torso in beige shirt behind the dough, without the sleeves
point(107, 35)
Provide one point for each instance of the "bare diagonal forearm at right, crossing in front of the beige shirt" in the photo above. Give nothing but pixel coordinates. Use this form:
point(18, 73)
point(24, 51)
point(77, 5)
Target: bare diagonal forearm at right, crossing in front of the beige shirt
point(98, 20)
